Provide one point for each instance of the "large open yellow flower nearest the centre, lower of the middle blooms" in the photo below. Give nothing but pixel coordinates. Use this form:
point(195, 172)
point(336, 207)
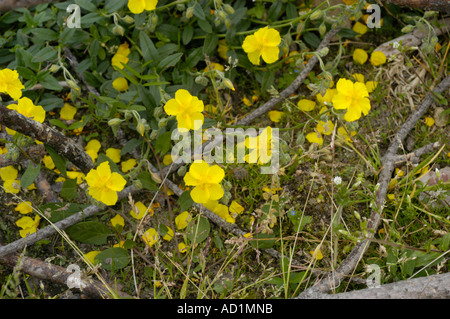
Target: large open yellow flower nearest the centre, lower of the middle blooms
point(206, 181)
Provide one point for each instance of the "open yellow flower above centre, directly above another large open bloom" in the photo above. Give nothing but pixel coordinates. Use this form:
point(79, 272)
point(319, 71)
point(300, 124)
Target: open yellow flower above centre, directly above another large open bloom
point(187, 109)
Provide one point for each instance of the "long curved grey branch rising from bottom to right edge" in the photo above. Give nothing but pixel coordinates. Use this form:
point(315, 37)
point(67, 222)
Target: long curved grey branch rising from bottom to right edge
point(334, 279)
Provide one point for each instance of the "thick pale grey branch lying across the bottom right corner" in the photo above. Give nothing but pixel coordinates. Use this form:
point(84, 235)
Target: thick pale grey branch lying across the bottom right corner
point(430, 287)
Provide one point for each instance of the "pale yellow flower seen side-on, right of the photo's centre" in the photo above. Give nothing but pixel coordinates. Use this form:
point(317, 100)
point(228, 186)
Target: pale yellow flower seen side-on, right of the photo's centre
point(260, 147)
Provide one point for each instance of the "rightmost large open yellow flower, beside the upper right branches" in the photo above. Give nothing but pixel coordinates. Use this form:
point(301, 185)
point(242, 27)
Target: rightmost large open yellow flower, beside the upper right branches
point(353, 97)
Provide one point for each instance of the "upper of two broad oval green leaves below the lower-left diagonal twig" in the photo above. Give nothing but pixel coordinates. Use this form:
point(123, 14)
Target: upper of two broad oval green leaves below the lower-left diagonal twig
point(89, 232)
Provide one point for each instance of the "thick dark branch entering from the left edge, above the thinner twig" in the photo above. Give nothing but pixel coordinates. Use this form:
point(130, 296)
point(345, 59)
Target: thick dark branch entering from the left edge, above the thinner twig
point(48, 135)
